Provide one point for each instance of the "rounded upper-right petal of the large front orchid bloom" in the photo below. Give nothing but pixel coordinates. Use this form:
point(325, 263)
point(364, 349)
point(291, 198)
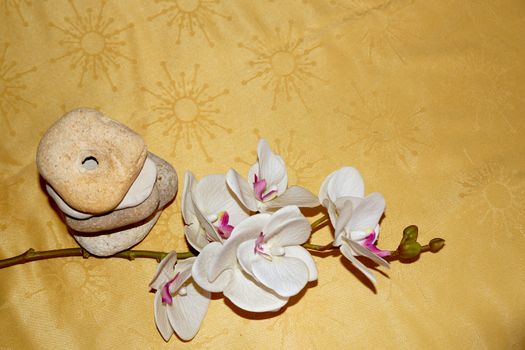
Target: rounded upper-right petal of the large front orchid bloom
point(287, 226)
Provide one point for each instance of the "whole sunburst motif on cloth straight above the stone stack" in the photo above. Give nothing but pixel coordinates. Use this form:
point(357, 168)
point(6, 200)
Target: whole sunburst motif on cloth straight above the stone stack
point(92, 43)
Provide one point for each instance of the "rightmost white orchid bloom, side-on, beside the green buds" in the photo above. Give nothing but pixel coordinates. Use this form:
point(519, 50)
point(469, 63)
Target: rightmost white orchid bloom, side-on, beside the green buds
point(354, 217)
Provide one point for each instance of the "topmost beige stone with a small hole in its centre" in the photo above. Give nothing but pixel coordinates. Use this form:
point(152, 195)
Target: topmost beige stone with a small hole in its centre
point(90, 160)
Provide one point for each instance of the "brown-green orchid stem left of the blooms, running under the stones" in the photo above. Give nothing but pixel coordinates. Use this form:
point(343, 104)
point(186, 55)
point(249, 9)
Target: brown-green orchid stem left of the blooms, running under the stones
point(32, 255)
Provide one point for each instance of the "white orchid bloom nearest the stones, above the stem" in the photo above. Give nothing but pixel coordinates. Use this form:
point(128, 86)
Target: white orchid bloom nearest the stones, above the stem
point(209, 210)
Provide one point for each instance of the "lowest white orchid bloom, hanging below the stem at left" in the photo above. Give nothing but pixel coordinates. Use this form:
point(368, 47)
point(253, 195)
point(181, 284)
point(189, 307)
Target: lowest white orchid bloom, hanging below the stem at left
point(180, 304)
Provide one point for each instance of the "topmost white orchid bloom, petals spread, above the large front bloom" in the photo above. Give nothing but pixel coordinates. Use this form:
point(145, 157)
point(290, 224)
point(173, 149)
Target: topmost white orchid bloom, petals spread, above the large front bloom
point(266, 188)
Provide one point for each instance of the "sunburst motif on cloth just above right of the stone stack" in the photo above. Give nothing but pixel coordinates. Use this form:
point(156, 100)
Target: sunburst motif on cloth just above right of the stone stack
point(187, 110)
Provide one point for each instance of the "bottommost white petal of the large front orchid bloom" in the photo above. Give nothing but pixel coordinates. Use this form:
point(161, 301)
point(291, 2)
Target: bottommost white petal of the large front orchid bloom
point(249, 295)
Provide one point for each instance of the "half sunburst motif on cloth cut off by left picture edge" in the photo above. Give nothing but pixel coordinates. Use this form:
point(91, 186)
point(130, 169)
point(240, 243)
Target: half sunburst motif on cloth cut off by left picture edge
point(11, 88)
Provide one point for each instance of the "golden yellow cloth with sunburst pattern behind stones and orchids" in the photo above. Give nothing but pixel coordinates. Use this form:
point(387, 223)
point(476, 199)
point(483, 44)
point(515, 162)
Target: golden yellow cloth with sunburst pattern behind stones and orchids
point(425, 98)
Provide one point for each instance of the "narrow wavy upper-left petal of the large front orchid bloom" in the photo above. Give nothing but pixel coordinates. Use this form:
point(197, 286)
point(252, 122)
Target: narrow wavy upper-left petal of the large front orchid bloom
point(227, 256)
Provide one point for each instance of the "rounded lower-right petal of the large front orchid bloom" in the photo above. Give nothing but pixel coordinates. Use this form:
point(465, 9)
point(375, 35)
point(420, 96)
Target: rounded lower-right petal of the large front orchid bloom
point(285, 275)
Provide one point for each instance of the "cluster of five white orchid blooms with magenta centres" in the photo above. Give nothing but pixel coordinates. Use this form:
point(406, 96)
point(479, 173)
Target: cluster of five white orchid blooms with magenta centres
point(249, 234)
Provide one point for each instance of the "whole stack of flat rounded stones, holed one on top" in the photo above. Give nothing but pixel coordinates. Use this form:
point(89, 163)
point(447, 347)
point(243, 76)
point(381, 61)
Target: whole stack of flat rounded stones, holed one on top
point(108, 187)
